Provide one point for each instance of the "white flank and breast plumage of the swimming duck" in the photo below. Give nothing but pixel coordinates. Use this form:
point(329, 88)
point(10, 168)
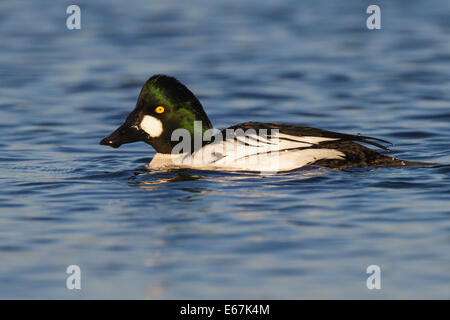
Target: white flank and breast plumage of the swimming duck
point(251, 153)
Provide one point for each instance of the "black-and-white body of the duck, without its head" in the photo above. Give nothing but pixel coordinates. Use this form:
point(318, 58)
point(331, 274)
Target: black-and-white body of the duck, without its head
point(290, 148)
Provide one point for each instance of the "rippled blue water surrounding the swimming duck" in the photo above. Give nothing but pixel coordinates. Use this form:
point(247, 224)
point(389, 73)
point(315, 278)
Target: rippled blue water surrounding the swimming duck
point(311, 233)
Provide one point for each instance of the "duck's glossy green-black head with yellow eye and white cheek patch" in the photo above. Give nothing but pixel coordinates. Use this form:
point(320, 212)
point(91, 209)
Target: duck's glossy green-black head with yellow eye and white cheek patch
point(163, 106)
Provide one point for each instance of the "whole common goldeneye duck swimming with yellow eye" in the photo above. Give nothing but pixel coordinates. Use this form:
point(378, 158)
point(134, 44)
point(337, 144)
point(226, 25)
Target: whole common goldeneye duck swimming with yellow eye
point(170, 118)
